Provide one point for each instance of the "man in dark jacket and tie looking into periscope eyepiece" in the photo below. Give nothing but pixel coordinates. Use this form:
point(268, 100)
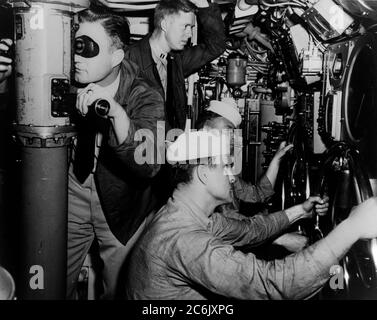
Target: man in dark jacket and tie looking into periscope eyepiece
point(106, 202)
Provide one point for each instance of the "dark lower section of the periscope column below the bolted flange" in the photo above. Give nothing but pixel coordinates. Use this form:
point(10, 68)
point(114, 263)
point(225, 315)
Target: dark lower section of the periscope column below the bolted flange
point(43, 223)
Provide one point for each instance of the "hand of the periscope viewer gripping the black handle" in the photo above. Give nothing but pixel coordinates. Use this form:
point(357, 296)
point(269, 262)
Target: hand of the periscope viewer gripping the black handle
point(88, 95)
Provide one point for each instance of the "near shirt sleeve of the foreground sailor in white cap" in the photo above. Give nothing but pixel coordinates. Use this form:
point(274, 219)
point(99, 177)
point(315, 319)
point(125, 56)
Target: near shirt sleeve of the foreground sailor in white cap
point(231, 273)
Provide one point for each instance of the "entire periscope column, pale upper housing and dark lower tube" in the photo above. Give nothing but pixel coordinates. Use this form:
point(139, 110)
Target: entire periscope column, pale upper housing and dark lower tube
point(43, 37)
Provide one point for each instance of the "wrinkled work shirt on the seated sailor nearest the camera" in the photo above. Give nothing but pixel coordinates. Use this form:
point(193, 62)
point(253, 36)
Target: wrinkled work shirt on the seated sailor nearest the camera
point(183, 254)
